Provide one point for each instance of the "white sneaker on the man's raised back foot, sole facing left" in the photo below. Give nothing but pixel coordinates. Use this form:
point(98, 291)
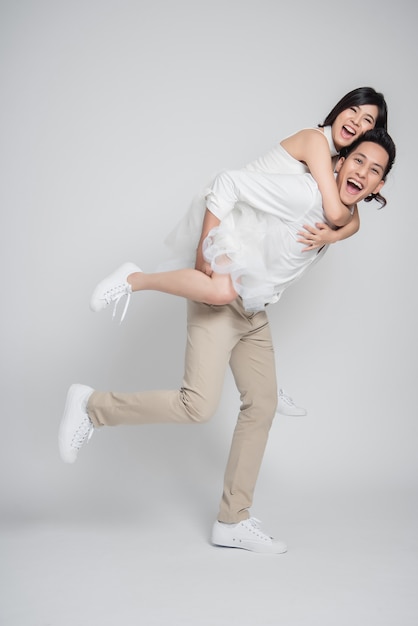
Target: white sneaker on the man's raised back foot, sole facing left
point(76, 427)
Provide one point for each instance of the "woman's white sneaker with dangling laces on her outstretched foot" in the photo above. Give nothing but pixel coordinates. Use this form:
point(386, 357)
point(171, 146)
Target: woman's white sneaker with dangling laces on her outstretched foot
point(113, 288)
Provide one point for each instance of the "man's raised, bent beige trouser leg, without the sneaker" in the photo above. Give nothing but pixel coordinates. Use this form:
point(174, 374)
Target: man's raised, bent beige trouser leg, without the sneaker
point(210, 340)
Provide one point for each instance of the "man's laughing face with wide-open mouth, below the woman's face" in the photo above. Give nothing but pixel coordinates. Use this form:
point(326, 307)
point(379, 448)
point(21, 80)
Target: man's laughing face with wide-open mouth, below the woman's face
point(361, 173)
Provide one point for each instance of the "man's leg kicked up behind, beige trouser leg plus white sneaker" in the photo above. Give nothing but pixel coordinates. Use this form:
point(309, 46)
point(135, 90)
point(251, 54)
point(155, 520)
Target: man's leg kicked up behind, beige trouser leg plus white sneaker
point(211, 336)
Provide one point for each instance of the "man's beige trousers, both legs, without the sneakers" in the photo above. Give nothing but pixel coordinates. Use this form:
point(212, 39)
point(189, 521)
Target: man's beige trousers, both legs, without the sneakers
point(217, 336)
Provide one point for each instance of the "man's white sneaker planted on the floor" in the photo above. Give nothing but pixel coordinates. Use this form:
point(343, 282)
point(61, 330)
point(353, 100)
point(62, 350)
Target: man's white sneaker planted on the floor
point(246, 535)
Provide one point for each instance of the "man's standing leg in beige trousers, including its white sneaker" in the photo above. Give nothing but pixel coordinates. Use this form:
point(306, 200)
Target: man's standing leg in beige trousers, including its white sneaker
point(253, 365)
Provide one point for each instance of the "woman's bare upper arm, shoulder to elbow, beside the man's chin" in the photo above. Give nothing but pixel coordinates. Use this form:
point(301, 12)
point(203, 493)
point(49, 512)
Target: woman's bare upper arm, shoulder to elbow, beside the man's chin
point(311, 147)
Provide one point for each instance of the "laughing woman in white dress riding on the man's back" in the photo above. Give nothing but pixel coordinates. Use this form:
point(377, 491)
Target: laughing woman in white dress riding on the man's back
point(243, 229)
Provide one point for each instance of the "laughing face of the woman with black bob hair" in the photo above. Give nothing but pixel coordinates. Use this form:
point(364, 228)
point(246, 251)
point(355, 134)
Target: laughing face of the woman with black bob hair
point(352, 123)
